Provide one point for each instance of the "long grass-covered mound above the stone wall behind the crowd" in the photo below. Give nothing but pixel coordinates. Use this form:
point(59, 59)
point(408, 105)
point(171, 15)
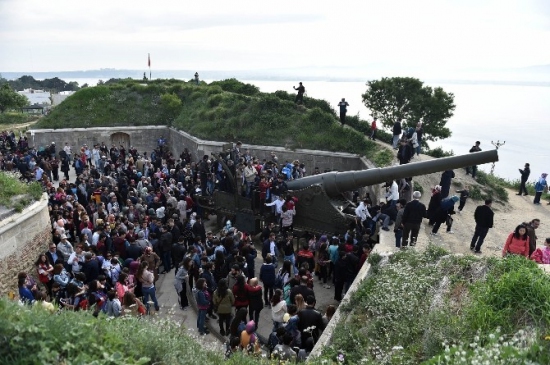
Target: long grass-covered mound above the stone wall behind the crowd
point(226, 110)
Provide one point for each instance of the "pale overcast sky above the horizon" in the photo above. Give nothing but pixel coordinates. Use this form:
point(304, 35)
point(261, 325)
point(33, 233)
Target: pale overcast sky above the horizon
point(348, 36)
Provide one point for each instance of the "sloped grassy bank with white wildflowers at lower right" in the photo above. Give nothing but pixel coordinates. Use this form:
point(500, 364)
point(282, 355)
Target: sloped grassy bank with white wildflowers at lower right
point(435, 308)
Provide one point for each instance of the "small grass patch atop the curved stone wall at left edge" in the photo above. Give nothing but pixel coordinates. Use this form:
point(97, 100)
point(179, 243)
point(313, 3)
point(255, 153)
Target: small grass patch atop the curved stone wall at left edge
point(12, 187)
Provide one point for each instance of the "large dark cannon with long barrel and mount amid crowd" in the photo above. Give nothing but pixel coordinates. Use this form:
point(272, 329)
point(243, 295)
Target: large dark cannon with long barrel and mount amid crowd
point(322, 206)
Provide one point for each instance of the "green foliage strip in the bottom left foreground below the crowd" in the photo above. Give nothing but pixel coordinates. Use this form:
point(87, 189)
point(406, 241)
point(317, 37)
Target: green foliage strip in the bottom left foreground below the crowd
point(31, 335)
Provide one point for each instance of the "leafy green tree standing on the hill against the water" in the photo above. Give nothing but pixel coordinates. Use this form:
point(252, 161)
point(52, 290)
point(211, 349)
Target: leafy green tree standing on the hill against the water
point(407, 99)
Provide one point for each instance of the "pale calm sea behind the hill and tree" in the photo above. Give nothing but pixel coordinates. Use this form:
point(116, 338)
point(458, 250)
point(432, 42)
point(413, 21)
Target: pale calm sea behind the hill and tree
point(514, 117)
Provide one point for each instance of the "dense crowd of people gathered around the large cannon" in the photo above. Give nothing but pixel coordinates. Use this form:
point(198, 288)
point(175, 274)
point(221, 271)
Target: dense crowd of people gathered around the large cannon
point(126, 218)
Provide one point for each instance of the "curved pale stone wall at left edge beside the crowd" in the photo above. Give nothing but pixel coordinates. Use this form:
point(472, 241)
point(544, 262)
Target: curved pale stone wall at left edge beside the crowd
point(22, 237)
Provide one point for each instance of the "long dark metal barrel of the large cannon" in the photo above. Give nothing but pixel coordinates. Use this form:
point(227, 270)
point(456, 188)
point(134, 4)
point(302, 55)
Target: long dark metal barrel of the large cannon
point(335, 183)
